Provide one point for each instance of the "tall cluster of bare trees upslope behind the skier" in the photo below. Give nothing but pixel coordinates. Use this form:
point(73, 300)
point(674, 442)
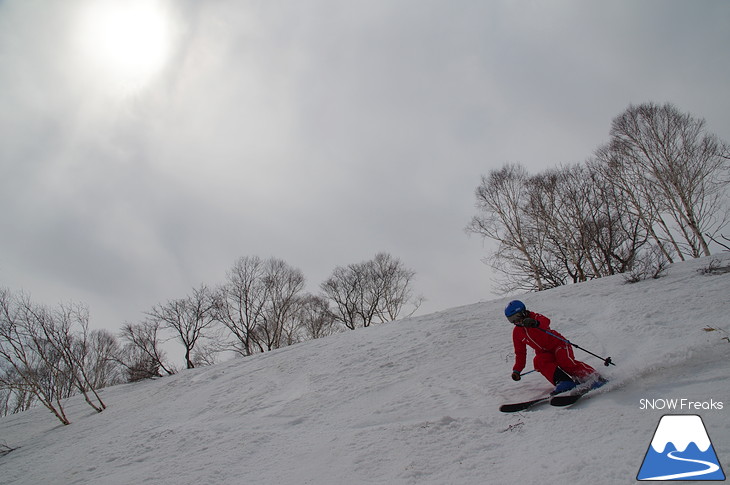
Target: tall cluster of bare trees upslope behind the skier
point(656, 192)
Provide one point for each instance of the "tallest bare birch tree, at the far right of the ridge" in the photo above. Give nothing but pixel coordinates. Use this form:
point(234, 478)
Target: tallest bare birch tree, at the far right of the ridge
point(678, 168)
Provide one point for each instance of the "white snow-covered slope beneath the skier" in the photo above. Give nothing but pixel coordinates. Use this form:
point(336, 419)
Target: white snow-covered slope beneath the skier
point(412, 402)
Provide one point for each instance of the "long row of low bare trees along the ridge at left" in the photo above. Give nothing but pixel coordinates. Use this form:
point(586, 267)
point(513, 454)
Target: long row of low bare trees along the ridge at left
point(48, 354)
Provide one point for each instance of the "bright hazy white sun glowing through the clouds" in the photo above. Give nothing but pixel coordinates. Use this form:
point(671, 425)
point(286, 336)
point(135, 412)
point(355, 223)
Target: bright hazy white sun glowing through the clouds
point(125, 41)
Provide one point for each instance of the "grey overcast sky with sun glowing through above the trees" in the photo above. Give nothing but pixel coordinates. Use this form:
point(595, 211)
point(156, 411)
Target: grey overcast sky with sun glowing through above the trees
point(145, 145)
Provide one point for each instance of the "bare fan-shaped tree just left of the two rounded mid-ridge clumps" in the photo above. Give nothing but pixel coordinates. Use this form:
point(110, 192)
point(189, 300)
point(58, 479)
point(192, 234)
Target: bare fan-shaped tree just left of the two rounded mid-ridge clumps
point(189, 318)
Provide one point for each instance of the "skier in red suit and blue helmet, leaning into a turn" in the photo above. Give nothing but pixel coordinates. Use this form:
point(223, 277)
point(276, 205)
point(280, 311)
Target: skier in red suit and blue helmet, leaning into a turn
point(554, 357)
